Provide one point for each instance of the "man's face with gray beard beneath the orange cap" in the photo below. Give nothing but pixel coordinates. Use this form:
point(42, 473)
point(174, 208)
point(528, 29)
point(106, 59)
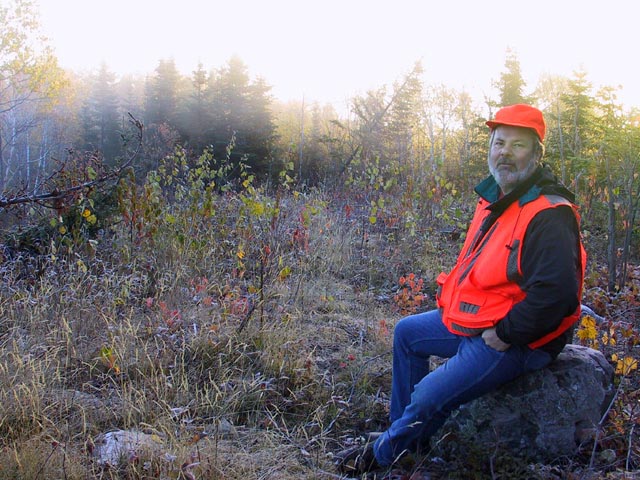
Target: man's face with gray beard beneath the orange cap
point(512, 156)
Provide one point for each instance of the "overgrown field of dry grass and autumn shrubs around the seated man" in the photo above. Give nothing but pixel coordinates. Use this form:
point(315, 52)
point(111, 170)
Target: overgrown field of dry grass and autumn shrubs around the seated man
point(247, 335)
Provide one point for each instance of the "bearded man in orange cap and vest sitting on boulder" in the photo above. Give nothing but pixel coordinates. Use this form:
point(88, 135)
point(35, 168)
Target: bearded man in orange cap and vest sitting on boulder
point(506, 308)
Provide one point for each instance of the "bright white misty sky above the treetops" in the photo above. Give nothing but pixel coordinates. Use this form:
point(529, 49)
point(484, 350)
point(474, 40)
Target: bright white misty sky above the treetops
point(332, 50)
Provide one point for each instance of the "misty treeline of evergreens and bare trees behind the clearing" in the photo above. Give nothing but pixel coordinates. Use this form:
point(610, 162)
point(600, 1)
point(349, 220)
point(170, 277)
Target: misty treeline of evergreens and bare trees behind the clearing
point(409, 135)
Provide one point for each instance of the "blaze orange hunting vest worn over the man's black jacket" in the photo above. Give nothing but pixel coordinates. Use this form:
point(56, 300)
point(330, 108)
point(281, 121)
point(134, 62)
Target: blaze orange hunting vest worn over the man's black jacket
point(485, 283)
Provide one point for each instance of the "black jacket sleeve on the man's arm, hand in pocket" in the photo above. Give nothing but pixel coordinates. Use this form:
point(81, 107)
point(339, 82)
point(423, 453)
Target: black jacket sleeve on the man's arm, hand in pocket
point(550, 263)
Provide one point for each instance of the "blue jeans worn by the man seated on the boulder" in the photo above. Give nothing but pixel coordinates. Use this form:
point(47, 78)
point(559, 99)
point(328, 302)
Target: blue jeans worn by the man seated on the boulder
point(421, 400)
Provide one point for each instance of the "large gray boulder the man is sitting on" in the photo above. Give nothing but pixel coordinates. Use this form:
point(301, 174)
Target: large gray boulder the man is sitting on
point(543, 415)
